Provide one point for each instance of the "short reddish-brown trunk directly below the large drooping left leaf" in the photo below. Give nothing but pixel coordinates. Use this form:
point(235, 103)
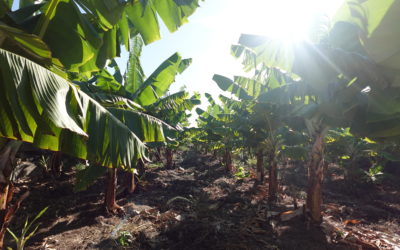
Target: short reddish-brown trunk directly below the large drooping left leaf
point(110, 196)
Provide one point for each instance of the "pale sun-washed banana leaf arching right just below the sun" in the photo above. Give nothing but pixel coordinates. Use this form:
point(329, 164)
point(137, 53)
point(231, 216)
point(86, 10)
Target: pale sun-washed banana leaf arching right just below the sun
point(317, 65)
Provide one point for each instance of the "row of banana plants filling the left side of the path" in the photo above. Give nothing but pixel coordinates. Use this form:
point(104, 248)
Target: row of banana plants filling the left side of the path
point(58, 92)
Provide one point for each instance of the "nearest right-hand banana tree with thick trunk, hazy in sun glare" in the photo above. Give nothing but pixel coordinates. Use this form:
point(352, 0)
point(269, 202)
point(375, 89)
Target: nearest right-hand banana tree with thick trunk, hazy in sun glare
point(341, 82)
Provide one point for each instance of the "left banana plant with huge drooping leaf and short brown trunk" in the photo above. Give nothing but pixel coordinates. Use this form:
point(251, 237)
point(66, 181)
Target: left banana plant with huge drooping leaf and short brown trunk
point(52, 108)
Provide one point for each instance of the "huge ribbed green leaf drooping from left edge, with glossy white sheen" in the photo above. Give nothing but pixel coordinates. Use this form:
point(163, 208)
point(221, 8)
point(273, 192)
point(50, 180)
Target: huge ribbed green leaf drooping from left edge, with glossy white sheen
point(40, 107)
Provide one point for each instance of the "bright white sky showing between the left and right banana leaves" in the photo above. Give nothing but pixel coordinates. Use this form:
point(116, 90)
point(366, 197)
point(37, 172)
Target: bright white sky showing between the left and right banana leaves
point(217, 24)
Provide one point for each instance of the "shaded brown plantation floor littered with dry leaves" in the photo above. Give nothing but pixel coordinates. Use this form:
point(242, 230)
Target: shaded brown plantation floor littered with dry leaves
point(198, 206)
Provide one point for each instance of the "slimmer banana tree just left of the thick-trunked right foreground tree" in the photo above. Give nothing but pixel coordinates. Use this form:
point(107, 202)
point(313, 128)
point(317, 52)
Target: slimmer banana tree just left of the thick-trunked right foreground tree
point(262, 119)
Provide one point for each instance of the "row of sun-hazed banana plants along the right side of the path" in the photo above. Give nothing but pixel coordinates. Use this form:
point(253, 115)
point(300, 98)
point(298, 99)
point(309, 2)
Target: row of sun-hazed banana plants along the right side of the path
point(346, 77)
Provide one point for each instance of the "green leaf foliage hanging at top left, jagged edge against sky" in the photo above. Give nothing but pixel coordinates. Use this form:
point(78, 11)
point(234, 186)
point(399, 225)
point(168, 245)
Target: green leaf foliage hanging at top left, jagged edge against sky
point(96, 28)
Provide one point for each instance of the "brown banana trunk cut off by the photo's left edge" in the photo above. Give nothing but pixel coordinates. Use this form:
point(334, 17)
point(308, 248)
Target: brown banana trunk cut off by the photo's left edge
point(7, 157)
